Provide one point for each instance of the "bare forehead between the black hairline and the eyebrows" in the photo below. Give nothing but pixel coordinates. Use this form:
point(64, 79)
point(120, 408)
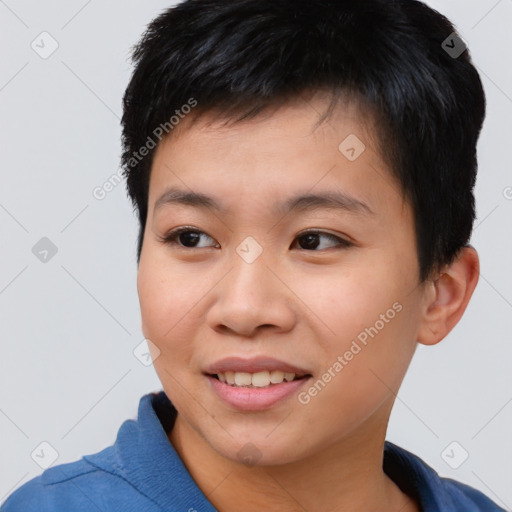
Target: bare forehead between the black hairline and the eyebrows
point(212, 162)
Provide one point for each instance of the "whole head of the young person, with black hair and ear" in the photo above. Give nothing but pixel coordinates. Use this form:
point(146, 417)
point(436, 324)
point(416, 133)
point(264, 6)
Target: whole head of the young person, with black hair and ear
point(251, 104)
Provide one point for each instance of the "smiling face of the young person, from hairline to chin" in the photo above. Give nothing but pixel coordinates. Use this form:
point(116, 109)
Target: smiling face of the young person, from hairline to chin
point(329, 289)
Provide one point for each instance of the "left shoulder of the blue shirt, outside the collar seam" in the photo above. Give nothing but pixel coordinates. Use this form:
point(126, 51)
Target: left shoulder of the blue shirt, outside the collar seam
point(77, 486)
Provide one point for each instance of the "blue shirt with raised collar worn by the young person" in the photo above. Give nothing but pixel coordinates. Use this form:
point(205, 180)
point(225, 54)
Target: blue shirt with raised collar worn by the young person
point(142, 472)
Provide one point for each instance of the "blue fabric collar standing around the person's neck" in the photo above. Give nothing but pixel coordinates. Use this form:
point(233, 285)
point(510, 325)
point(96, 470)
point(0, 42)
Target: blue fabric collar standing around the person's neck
point(143, 455)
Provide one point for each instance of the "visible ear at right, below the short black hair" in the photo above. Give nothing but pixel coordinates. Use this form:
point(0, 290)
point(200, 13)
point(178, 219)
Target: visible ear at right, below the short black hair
point(447, 296)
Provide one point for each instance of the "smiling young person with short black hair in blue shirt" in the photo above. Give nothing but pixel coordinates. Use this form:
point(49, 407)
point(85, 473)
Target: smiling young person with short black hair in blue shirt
point(303, 173)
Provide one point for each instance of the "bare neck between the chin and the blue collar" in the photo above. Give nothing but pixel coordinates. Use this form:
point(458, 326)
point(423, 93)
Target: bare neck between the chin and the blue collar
point(346, 477)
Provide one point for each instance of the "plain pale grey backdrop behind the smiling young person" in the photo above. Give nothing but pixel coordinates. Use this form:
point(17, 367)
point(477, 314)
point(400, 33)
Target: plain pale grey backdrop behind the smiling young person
point(70, 325)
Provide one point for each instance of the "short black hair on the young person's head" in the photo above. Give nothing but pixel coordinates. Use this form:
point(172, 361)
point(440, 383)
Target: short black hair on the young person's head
point(402, 58)
